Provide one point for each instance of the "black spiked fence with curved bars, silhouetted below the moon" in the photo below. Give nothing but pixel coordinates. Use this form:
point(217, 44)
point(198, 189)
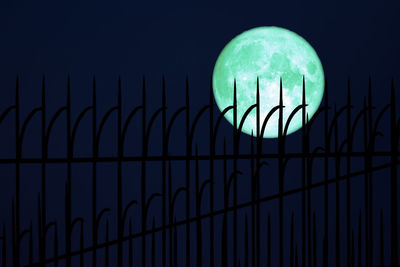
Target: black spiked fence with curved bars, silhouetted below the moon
point(220, 234)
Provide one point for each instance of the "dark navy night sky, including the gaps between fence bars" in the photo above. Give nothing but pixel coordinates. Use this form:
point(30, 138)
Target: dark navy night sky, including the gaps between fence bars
point(108, 39)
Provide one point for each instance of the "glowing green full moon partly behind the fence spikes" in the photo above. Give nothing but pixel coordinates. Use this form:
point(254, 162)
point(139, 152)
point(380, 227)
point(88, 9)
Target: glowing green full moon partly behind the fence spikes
point(269, 53)
